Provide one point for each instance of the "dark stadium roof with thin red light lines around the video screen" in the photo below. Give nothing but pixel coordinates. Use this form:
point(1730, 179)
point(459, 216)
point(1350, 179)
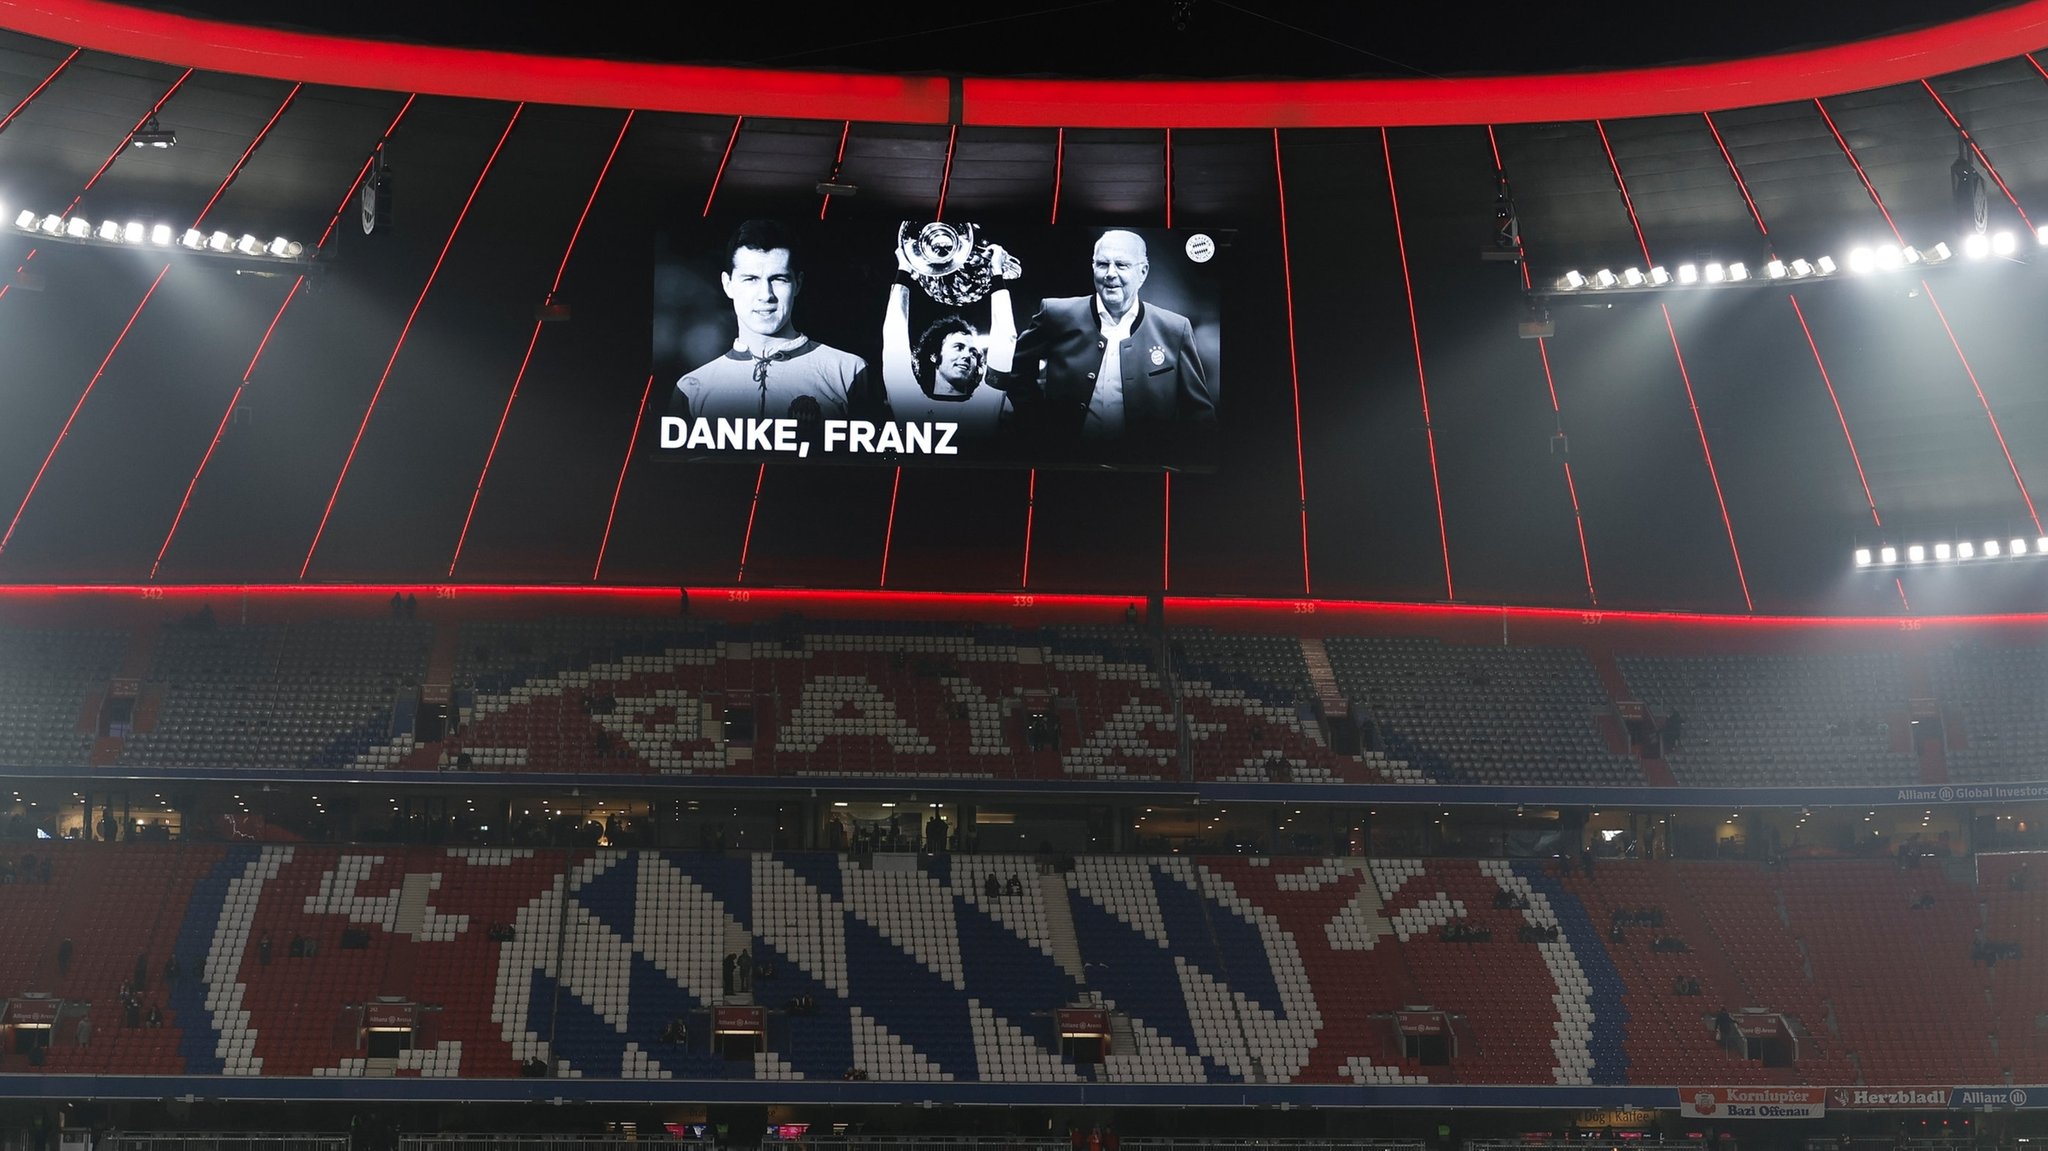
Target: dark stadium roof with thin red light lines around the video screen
point(1816, 153)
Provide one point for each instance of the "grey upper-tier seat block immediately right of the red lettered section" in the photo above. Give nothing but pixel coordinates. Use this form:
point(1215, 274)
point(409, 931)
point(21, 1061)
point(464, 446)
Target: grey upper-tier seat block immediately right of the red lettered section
point(1484, 714)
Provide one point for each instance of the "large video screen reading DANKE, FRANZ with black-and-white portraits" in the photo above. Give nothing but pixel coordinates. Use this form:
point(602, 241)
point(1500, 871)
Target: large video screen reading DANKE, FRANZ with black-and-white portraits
point(937, 343)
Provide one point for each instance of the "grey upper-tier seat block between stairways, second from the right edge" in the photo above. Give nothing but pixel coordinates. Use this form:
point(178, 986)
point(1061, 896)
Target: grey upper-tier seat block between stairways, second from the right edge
point(1779, 720)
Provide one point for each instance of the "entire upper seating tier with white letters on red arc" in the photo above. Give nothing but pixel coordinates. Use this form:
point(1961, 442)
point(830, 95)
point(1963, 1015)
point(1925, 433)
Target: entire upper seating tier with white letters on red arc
point(904, 699)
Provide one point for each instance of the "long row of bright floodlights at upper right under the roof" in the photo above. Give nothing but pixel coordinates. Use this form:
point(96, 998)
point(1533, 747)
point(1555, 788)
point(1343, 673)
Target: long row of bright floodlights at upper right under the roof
point(1859, 263)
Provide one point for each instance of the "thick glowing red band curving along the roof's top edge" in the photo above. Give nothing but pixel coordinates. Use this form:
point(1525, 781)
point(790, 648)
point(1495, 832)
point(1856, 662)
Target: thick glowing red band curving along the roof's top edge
point(222, 46)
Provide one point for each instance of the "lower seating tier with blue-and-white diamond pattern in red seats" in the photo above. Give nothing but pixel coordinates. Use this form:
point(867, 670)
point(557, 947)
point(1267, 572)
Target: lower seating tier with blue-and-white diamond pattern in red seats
point(1215, 970)
